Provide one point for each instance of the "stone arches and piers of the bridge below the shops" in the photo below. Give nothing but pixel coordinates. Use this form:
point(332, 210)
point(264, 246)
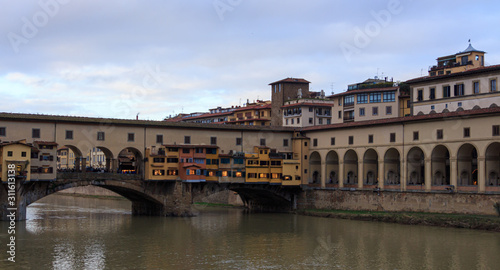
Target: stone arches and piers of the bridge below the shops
point(151, 198)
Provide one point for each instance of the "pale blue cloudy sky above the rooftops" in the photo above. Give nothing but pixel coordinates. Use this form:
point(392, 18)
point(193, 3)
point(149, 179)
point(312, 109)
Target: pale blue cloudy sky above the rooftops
point(159, 58)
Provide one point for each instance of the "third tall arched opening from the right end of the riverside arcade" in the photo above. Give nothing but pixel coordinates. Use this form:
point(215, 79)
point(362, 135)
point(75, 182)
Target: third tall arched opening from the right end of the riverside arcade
point(440, 166)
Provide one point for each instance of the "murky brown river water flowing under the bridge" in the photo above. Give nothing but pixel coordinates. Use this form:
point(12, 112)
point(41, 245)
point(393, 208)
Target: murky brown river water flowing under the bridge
point(64, 232)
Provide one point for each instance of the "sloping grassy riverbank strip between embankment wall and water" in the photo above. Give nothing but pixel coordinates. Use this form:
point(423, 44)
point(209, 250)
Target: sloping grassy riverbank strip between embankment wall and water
point(475, 222)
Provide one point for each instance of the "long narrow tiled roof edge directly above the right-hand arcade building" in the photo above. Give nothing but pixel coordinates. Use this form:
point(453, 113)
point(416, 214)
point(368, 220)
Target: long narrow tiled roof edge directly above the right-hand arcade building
point(407, 119)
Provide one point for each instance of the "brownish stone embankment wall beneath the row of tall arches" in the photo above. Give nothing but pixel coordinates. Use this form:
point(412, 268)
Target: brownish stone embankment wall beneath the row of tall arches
point(481, 204)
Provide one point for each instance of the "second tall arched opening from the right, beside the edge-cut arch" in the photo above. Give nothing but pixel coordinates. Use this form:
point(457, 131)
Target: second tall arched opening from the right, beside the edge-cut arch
point(467, 165)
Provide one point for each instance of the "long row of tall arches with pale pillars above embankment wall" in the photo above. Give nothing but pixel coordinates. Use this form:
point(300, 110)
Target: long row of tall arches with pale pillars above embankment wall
point(425, 168)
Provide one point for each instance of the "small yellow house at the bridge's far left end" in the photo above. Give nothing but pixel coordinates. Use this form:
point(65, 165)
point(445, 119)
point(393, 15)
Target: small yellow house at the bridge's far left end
point(15, 155)
